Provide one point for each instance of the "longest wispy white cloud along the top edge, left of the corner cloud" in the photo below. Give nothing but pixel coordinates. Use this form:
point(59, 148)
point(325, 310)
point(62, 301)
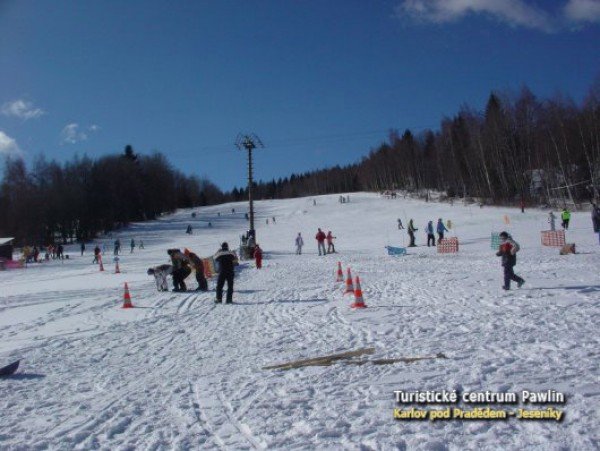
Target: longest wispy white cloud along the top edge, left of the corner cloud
point(512, 12)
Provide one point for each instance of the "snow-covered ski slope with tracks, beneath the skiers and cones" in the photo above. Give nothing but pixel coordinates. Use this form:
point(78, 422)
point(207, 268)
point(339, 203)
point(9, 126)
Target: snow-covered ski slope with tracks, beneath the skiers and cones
point(180, 372)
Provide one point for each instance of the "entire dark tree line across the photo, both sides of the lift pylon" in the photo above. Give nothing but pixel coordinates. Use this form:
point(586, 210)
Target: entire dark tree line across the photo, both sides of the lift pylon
point(519, 148)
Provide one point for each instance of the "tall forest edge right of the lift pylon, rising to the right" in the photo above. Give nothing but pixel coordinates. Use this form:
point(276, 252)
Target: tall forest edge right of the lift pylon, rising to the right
point(519, 148)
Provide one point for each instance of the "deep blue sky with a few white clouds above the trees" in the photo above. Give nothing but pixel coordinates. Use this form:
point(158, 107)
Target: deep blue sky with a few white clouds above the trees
point(320, 82)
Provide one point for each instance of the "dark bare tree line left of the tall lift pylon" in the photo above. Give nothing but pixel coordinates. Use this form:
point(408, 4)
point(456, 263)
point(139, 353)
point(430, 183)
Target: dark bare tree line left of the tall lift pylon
point(82, 198)
